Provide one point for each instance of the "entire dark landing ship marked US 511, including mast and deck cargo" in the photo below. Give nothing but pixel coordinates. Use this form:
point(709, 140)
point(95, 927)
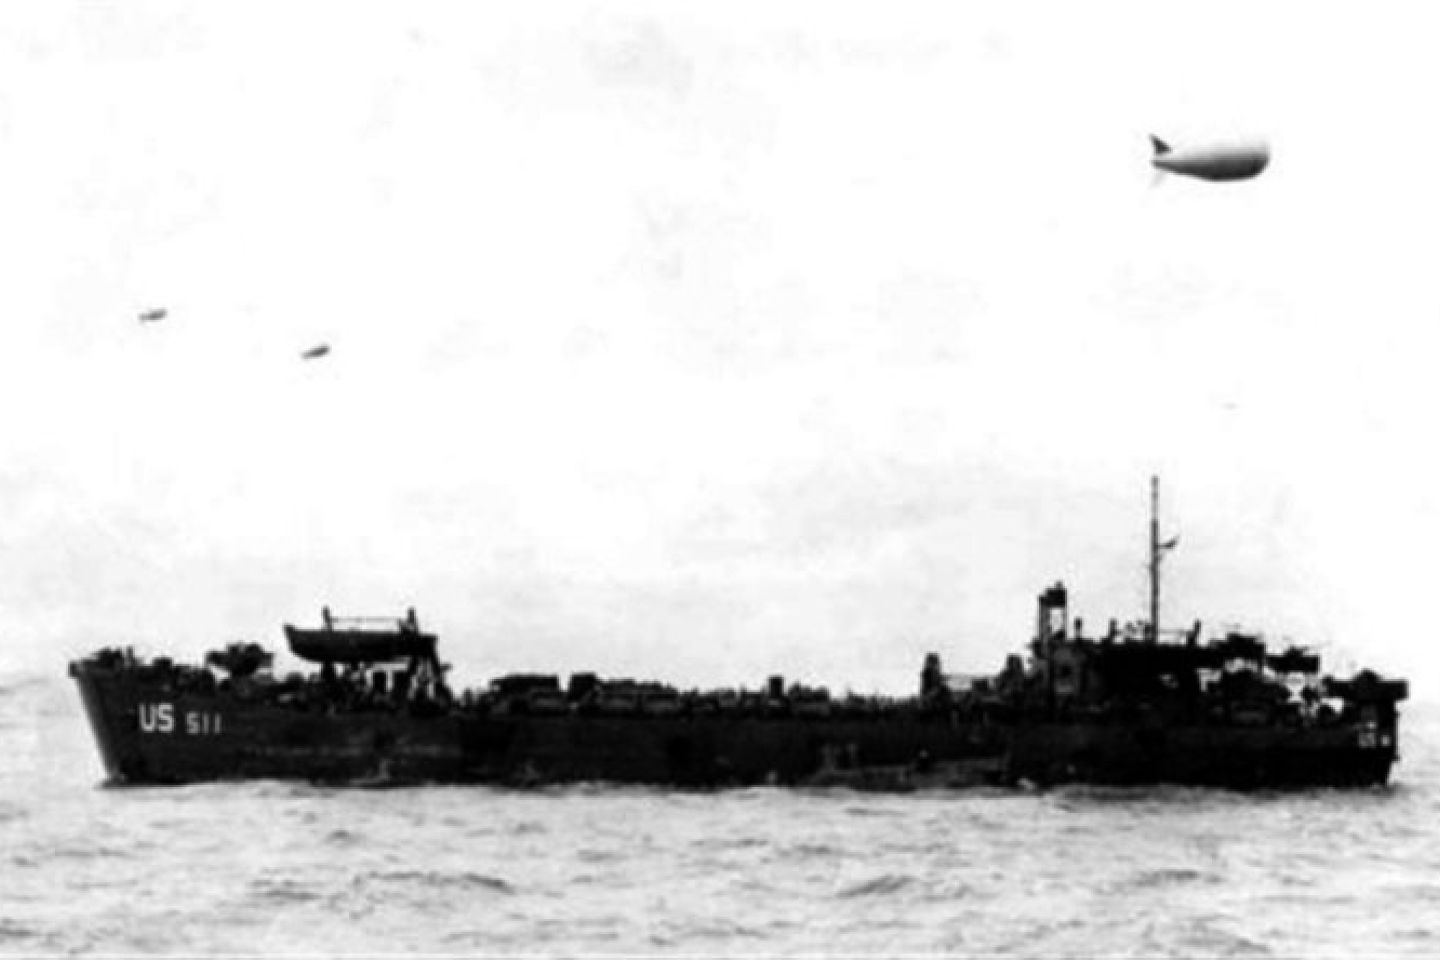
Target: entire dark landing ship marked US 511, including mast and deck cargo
point(1127, 707)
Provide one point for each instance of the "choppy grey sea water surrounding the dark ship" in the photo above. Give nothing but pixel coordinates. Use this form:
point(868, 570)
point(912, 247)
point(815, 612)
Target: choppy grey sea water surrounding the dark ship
point(296, 870)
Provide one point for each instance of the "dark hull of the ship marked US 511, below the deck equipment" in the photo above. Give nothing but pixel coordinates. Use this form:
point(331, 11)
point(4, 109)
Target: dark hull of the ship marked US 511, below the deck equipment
point(148, 735)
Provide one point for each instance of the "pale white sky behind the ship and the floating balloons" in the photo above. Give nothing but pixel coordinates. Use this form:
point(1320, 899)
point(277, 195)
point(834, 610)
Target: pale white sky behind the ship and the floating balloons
point(703, 342)
